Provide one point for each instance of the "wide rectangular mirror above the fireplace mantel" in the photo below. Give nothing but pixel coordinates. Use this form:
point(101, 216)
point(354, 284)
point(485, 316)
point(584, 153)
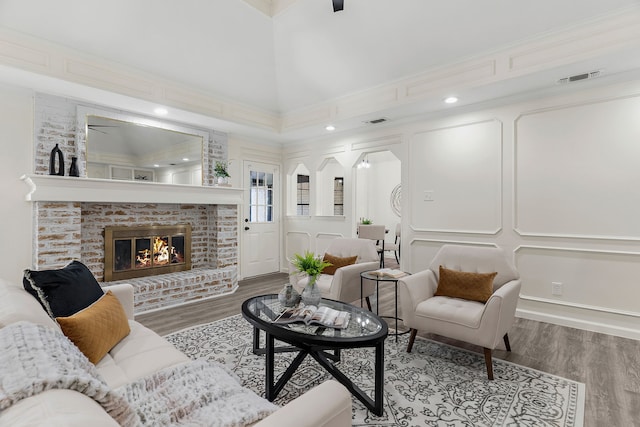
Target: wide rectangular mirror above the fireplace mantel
point(126, 147)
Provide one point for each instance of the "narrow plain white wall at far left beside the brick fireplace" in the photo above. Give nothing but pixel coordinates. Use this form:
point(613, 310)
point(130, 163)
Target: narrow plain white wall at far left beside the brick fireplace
point(16, 146)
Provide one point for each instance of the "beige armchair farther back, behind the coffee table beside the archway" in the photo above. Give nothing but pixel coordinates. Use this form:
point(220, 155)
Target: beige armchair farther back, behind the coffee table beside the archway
point(344, 285)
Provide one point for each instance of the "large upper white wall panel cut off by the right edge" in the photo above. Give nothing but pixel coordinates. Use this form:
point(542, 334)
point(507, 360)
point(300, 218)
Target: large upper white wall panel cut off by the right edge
point(576, 166)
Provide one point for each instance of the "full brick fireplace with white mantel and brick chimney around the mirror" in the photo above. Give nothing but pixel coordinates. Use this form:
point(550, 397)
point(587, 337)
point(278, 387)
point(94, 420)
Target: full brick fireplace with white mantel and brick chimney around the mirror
point(70, 214)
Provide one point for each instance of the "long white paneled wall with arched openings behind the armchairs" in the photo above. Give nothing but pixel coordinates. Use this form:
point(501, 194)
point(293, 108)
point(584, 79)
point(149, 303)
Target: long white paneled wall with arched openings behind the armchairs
point(554, 181)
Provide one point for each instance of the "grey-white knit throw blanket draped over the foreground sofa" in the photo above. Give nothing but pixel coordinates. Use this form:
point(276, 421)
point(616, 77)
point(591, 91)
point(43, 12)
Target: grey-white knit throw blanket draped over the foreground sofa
point(35, 358)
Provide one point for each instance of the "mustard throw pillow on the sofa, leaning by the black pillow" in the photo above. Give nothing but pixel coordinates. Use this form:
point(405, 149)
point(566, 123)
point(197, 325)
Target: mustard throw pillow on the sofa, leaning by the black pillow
point(98, 328)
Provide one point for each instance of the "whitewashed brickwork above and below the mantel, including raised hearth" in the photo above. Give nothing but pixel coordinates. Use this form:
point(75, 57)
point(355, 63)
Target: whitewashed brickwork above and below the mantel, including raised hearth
point(65, 231)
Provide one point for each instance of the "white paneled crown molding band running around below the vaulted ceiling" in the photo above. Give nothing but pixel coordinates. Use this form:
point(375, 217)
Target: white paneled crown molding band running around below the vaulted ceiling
point(592, 40)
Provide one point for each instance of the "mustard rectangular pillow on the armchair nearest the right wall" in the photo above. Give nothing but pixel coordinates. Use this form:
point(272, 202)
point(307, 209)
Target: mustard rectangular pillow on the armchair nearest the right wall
point(465, 285)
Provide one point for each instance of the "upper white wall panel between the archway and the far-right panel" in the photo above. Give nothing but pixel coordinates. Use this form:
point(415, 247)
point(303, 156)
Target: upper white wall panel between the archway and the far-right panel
point(456, 180)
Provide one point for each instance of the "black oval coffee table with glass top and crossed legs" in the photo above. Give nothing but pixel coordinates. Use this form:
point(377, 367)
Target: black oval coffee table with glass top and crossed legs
point(365, 329)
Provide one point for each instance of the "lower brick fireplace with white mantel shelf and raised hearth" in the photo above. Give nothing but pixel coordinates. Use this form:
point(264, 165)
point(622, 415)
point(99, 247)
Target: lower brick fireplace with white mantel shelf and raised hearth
point(70, 216)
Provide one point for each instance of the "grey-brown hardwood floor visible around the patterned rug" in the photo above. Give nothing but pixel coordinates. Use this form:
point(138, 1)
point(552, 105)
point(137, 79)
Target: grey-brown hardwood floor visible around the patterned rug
point(608, 365)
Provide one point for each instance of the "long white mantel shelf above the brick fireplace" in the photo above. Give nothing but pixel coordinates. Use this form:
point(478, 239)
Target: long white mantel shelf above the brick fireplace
point(53, 188)
